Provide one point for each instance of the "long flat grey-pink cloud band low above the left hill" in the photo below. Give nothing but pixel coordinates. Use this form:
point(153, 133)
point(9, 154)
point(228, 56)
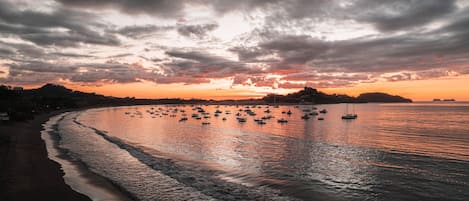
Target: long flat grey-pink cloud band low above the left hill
point(109, 72)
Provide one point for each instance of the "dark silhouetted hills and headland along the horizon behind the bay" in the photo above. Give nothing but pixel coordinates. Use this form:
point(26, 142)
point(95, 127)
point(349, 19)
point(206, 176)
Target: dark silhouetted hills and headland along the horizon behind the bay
point(23, 104)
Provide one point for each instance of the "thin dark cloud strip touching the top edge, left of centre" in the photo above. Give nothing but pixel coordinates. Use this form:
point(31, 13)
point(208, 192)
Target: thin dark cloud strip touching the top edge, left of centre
point(161, 8)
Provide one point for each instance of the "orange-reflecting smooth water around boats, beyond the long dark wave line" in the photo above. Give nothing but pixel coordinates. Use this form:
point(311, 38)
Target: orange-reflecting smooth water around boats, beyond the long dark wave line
point(391, 152)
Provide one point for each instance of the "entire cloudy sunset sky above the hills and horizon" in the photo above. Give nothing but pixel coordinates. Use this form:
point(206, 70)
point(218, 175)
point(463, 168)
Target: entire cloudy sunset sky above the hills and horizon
point(224, 49)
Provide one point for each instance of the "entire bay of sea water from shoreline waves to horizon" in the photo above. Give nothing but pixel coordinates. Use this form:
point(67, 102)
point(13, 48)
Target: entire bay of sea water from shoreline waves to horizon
point(417, 151)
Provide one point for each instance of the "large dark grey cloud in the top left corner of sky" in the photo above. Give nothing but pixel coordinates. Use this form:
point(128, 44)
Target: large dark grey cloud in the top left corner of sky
point(41, 27)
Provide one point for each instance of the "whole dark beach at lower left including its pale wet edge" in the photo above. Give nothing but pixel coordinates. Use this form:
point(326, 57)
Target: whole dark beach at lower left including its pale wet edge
point(29, 171)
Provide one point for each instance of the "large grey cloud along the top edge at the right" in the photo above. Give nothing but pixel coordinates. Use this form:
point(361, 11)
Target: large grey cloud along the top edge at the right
point(386, 16)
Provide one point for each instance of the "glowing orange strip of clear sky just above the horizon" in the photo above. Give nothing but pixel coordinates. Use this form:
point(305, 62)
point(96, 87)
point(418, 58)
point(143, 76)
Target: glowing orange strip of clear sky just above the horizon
point(418, 90)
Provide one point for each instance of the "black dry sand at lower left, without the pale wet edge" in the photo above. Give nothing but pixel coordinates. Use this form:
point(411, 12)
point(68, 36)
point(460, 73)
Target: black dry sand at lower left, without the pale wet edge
point(26, 173)
